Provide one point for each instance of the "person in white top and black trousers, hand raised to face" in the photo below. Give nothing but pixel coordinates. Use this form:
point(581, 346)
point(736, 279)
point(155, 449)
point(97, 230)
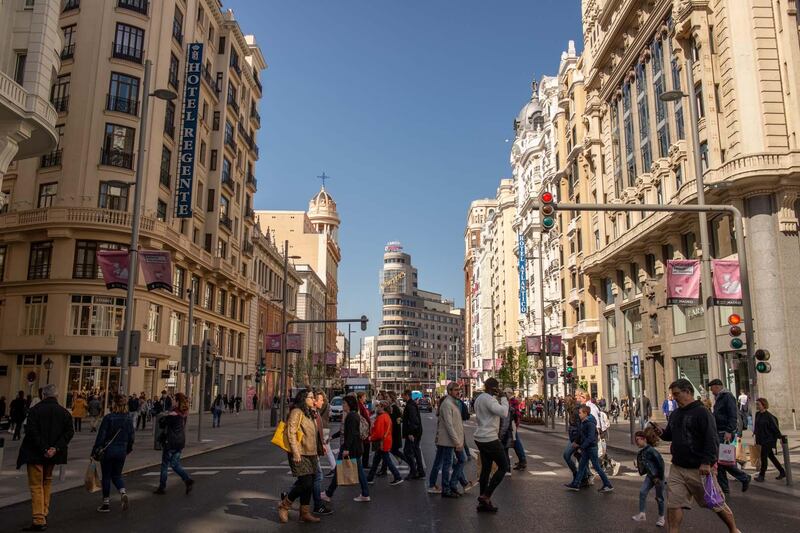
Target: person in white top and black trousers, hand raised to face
point(490, 407)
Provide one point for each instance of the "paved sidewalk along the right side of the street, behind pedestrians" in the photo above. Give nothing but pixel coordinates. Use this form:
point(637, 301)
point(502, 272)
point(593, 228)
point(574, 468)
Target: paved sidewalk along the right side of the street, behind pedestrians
point(619, 440)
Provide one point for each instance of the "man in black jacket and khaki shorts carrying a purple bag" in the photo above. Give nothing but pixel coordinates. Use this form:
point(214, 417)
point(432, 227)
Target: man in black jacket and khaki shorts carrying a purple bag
point(694, 443)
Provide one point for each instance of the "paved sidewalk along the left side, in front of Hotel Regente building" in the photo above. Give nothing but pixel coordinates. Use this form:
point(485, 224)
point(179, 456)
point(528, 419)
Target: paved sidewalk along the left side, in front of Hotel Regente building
point(235, 429)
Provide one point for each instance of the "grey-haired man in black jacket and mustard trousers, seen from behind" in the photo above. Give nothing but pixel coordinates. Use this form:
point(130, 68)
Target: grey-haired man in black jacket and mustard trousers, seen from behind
point(48, 431)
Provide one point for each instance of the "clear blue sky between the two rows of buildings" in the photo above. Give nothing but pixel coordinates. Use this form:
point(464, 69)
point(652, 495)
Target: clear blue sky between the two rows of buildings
point(407, 105)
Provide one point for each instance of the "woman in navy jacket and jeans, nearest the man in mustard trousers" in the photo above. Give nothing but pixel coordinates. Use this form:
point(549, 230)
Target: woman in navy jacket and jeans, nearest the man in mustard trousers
point(112, 445)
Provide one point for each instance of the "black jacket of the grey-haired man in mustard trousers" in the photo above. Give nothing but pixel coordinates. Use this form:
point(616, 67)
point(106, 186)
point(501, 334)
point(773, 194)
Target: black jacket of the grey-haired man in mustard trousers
point(49, 426)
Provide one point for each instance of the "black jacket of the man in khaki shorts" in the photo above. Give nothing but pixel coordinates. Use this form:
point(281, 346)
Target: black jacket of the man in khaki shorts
point(693, 434)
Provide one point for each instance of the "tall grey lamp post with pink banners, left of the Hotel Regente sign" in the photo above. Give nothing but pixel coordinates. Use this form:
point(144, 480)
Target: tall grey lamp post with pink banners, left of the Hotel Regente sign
point(130, 304)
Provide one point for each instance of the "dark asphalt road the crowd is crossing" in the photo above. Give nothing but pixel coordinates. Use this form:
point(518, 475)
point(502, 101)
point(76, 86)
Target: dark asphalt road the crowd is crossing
point(238, 488)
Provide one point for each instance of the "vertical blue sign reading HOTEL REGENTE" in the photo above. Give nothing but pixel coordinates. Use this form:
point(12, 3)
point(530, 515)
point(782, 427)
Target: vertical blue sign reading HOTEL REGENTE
point(191, 96)
